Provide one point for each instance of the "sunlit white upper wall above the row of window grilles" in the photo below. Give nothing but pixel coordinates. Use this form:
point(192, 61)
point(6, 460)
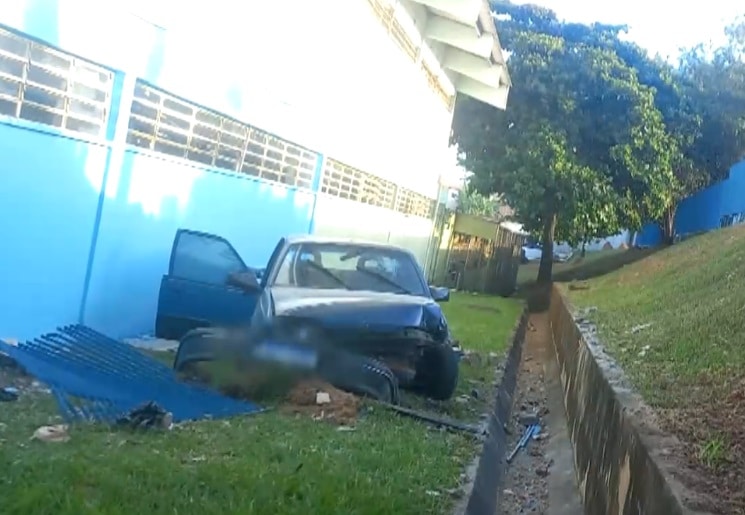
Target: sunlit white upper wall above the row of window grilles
point(324, 74)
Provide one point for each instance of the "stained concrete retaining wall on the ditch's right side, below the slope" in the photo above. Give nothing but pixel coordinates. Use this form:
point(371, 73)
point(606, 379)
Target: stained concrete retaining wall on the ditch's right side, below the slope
point(624, 463)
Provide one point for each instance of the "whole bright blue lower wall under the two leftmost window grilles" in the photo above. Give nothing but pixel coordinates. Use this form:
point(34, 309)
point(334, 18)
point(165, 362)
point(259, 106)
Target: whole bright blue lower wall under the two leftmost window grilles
point(88, 239)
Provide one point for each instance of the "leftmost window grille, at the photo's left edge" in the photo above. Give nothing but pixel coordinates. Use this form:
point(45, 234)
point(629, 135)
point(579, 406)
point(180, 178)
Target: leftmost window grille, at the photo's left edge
point(44, 85)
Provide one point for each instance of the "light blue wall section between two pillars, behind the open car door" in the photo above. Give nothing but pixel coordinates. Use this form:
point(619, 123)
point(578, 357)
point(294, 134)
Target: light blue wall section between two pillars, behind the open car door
point(148, 198)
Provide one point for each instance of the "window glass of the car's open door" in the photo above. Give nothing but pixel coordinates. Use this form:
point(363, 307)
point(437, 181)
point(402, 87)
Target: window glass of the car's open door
point(205, 258)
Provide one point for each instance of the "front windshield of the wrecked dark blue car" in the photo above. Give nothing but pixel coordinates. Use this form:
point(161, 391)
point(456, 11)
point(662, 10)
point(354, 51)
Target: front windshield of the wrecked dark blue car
point(350, 266)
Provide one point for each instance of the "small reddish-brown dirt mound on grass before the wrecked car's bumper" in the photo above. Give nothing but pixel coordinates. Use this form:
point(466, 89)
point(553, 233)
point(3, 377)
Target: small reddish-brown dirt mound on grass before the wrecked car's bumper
point(341, 407)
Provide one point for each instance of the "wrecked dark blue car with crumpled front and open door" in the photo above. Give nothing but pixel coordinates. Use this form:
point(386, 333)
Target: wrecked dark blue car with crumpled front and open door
point(352, 311)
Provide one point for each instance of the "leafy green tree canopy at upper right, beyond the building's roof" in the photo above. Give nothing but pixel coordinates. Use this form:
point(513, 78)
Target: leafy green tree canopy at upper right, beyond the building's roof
point(599, 136)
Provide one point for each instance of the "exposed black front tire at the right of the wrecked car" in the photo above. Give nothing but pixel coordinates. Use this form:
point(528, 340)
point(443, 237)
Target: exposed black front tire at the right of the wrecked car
point(437, 372)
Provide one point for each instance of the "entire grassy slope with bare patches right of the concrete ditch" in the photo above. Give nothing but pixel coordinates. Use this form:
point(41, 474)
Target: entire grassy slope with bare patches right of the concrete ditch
point(675, 320)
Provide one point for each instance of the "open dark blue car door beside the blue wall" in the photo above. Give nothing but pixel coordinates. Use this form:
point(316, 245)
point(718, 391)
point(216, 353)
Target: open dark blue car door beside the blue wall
point(198, 291)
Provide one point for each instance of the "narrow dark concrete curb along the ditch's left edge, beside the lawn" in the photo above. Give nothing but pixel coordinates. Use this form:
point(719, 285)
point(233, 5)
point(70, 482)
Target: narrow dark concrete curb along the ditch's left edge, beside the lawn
point(485, 495)
